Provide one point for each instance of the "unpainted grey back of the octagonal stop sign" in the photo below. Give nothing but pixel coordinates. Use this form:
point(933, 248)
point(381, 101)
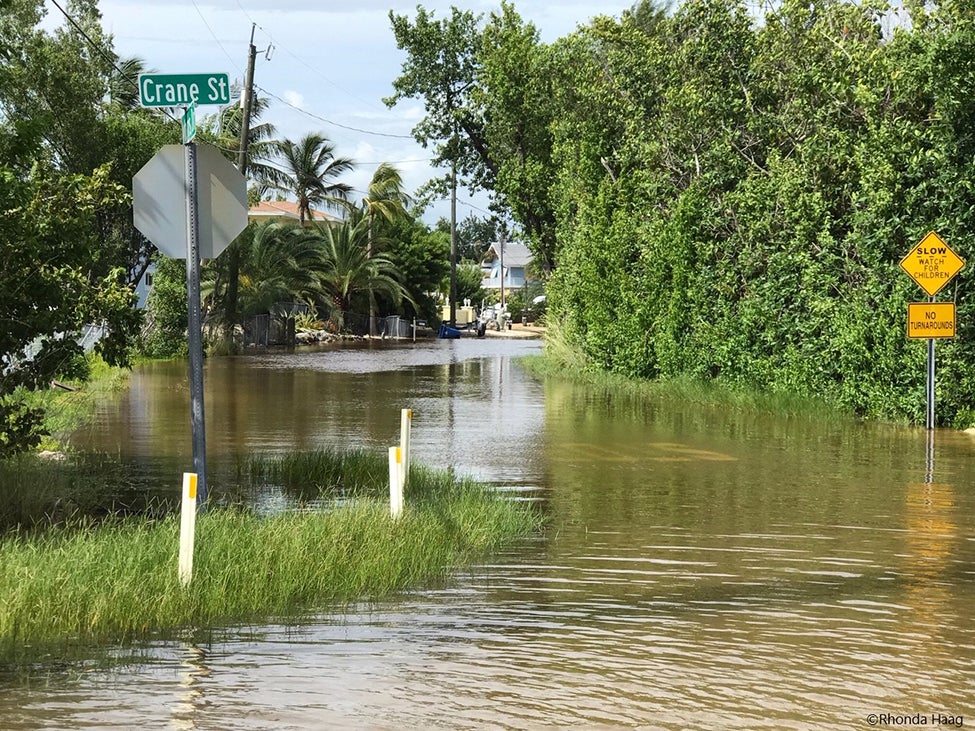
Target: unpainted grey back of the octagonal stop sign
point(159, 193)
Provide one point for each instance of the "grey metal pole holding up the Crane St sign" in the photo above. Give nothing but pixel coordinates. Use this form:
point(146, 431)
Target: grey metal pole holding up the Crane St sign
point(195, 321)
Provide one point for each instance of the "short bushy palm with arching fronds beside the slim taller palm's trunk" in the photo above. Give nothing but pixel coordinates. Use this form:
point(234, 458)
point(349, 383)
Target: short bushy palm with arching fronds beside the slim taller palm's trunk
point(350, 271)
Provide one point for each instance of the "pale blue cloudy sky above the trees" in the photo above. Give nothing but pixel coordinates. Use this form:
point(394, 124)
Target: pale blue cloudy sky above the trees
point(330, 65)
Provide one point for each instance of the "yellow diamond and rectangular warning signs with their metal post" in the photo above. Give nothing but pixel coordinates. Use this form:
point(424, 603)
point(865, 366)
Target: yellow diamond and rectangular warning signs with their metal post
point(932, 264)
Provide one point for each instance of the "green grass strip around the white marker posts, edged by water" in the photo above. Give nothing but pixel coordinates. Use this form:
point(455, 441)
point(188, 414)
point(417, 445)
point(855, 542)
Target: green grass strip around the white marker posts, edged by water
point(117, 580)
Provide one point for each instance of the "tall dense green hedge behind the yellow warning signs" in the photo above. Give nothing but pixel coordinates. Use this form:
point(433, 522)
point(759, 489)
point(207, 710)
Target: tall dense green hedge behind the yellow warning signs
point(731, 197)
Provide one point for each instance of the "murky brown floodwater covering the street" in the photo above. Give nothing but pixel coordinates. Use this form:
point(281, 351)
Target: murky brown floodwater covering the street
point(702, 568)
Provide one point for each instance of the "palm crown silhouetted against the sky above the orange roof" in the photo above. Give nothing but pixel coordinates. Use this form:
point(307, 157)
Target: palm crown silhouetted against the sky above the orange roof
point(307, 169)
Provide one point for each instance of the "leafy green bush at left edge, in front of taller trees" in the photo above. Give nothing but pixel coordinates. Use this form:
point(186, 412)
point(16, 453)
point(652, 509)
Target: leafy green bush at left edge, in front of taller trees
point(53, 282)
